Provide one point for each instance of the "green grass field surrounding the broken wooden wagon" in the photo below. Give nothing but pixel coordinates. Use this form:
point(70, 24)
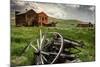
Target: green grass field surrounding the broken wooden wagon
point(21, 36)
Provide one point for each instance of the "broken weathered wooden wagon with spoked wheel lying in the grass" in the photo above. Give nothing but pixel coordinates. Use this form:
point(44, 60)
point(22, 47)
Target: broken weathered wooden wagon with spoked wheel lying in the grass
point(52, 48)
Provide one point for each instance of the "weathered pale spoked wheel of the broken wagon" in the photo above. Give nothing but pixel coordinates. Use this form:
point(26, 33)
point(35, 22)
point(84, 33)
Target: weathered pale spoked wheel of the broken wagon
point(46, 51)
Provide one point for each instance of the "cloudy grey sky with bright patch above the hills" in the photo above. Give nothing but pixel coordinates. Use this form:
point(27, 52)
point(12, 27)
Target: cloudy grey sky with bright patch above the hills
point(84, 13)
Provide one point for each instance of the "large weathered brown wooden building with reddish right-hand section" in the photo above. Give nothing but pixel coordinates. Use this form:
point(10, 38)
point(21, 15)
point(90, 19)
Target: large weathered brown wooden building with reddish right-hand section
point(31, 18)
